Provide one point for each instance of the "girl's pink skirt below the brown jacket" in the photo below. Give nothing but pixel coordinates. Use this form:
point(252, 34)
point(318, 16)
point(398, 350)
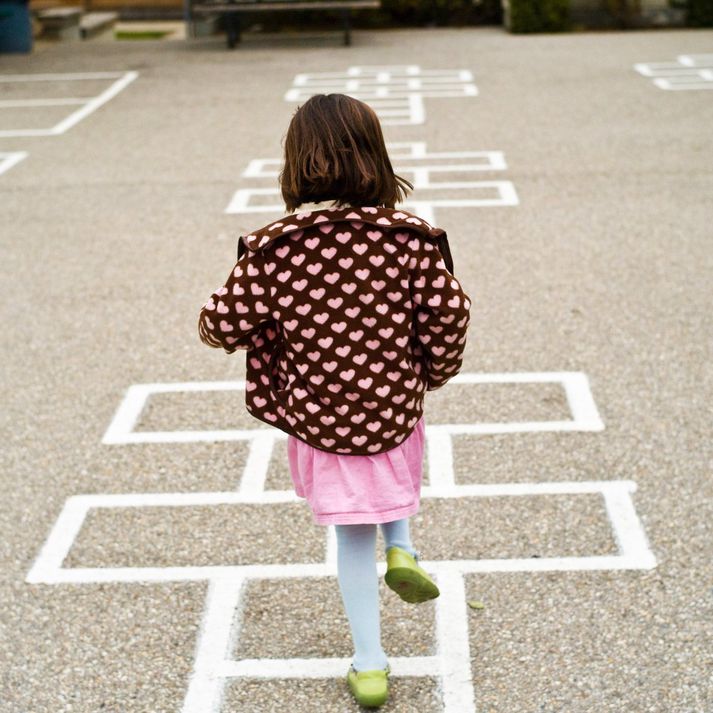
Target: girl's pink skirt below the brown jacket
point(348, 490)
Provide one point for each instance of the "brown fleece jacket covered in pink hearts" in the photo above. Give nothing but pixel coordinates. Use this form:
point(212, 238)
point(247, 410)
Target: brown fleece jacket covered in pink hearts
point(348, 315)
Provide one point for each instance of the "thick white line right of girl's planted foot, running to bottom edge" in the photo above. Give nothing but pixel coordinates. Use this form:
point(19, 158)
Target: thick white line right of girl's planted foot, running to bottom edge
point(452, 632)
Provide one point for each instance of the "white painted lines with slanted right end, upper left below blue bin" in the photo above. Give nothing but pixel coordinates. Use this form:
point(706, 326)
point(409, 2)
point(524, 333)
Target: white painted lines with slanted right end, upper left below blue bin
point(88, 105)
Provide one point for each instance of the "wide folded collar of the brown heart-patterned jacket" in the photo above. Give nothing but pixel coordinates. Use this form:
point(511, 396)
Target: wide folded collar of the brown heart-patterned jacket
point(385, 218)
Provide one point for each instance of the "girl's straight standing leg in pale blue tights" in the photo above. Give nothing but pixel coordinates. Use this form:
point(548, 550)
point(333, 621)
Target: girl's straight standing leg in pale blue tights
point(359, 585)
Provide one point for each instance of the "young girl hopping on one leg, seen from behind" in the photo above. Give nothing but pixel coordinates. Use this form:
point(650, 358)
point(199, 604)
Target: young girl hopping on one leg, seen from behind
point(349, 313)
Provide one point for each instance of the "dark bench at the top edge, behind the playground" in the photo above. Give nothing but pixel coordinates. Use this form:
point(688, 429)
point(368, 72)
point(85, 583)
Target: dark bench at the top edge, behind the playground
point(231, 12)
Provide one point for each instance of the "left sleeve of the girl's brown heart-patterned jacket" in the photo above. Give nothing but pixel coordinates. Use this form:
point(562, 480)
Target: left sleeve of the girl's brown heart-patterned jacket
point(236, 312)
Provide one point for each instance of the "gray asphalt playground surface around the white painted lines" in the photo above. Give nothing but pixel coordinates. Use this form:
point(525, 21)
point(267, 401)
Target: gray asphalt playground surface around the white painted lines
point(113, 236)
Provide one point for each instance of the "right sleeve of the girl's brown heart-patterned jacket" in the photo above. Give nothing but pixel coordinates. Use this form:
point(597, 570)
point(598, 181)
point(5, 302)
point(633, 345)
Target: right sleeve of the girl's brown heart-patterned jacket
point(441, 314)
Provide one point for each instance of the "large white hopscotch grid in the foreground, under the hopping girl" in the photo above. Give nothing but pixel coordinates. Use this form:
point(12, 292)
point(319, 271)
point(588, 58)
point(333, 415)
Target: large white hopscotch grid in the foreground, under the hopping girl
point(222, 617)
